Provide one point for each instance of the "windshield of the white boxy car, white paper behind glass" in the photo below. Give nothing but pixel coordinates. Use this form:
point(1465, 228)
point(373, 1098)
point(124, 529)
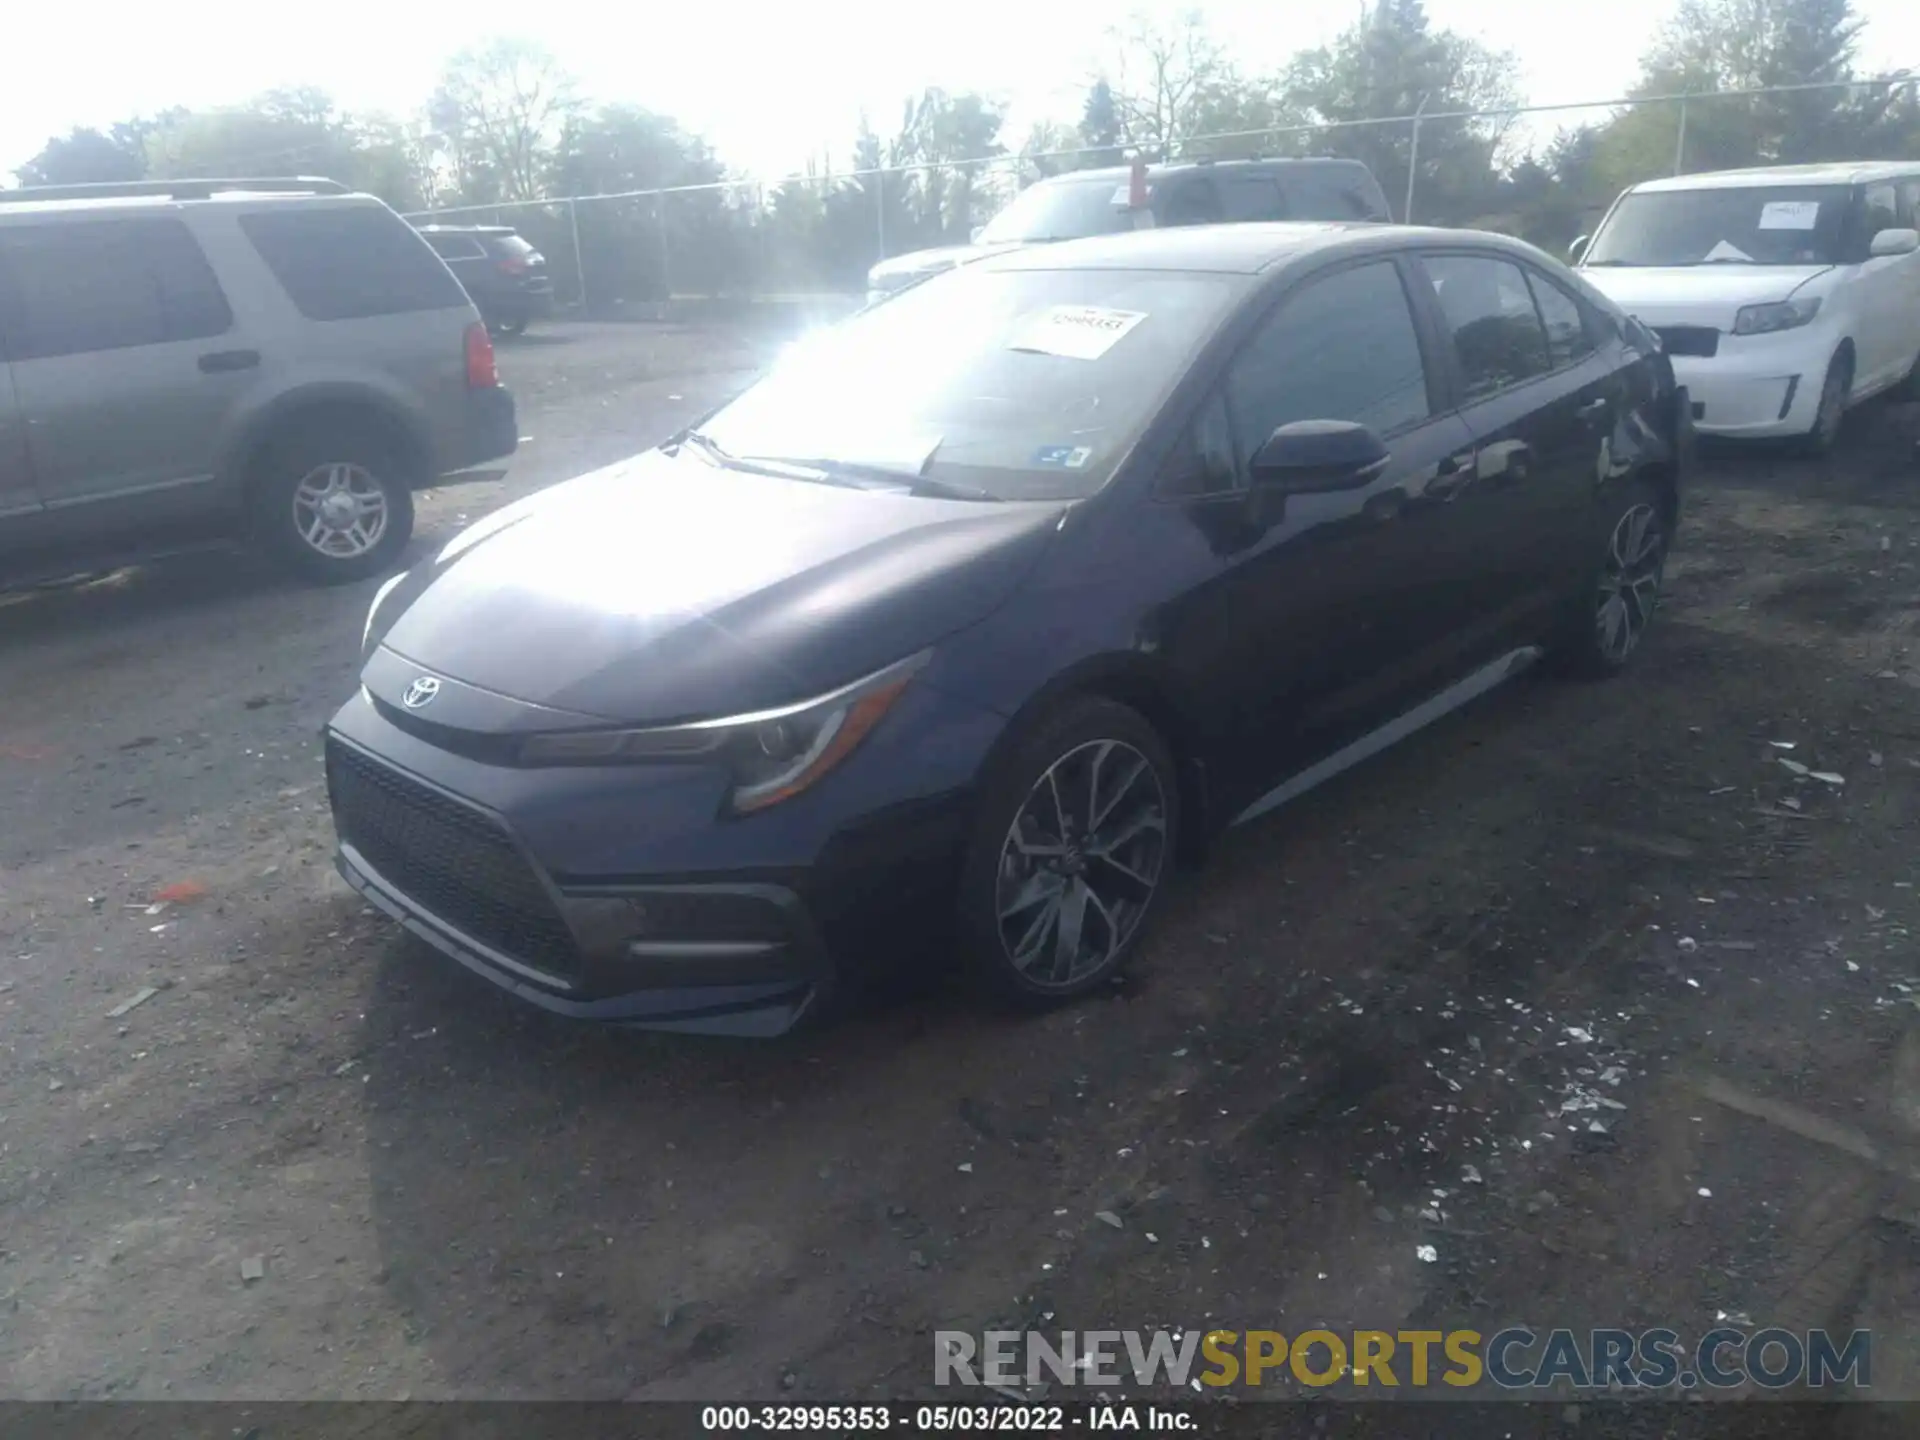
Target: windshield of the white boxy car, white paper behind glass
point(1748, 226)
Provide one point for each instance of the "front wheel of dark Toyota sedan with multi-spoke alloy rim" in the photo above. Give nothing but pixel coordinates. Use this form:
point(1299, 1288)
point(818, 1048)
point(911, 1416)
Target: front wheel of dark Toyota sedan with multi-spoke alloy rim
point(1070, 855)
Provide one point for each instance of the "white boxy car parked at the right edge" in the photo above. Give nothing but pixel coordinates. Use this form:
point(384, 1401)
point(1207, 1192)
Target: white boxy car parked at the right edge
point(1783, 295)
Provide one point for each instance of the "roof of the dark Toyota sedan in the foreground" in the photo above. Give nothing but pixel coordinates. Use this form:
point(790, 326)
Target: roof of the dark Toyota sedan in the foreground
point(1243, 249)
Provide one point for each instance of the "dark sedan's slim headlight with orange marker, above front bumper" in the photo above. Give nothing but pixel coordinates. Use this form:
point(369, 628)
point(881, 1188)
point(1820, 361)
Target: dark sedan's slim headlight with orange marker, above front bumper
point(771, 756)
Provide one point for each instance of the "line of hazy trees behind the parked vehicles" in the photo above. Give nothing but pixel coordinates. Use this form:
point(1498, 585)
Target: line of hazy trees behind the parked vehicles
point(508, 124)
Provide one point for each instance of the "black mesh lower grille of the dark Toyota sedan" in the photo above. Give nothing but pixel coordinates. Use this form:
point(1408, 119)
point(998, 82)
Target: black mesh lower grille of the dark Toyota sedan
point(454, 863)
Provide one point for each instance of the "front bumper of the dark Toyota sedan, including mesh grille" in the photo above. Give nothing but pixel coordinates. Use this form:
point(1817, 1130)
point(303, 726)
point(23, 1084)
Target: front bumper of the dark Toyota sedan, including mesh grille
point(615, 896)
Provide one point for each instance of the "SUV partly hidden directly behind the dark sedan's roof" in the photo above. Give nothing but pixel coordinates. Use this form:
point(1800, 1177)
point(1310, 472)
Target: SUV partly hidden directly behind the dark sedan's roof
point(1147, 197)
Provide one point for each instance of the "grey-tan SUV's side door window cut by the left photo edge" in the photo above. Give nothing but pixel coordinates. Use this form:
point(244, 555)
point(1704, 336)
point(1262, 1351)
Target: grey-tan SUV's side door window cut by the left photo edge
point(107, 285)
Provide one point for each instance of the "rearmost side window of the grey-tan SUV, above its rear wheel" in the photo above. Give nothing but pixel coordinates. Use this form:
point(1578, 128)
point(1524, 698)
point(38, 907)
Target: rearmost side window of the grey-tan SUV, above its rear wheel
point(348, 264)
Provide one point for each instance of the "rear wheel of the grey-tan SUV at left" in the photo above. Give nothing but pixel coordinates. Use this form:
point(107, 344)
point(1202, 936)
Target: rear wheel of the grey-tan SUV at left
point(337, 506)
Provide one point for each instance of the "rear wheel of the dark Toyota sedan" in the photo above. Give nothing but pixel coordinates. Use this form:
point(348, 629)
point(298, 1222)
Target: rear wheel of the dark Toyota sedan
point(1608, 621)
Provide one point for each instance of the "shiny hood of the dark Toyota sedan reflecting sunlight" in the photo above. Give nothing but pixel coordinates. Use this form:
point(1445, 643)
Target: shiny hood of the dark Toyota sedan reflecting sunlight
point(667, 588)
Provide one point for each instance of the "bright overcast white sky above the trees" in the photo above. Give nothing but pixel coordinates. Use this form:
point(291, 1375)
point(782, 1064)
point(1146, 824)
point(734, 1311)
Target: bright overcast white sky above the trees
point(769, 85)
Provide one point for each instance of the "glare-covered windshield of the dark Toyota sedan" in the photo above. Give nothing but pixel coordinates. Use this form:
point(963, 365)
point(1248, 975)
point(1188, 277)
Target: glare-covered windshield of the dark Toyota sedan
point(1022, 385)
